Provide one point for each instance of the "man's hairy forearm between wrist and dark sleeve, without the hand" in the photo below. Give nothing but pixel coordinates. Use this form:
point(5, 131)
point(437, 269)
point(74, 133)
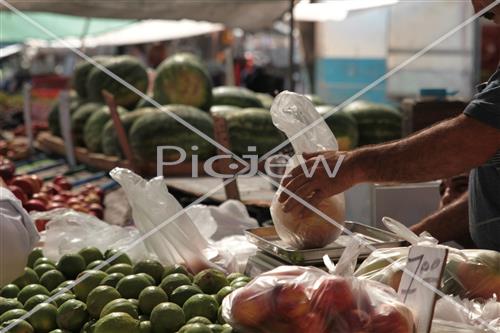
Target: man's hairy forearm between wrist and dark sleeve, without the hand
point(444, 150)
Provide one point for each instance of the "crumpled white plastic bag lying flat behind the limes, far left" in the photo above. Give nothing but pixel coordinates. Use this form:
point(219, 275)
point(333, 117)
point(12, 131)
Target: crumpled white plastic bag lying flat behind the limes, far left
point(68, 231)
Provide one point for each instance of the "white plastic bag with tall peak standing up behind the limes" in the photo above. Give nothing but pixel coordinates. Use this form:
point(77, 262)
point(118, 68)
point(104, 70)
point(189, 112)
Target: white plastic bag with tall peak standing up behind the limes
point(167, 229)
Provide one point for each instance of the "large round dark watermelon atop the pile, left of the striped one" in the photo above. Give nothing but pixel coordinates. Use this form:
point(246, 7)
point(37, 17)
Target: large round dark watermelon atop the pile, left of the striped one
point(127, 68)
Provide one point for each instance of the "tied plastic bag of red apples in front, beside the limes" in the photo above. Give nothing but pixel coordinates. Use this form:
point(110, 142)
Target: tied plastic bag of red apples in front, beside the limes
point(294, 299)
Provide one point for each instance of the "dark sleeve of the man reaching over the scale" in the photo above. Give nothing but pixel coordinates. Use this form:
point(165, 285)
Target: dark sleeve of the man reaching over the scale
point(485, 107)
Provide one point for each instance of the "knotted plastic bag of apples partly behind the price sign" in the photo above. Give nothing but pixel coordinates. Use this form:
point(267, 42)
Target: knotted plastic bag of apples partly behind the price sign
point(469, 274)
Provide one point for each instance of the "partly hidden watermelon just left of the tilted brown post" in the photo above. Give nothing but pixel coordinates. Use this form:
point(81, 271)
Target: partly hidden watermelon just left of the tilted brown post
point(93, 129)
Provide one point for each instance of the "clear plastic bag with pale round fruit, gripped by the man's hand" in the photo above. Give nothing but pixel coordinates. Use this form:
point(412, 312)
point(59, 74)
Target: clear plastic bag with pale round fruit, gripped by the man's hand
point(291, 114)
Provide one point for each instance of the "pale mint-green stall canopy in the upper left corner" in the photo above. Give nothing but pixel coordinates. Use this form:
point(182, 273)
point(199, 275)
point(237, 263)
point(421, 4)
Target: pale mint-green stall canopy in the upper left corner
point(16, 29)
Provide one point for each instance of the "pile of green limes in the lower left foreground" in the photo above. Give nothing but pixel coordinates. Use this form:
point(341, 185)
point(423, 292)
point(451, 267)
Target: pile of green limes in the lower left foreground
point(92, 292)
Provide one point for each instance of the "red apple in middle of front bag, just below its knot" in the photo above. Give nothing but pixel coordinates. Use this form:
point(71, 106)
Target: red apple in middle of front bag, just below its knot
point(333, 295)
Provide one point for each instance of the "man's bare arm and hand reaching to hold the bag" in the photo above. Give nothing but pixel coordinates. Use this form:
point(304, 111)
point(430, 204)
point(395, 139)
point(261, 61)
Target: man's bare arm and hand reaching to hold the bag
point(446, 149)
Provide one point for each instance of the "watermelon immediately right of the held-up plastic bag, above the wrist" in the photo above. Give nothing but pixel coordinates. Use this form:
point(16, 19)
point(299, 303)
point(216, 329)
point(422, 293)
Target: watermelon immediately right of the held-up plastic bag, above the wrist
point(343, 126)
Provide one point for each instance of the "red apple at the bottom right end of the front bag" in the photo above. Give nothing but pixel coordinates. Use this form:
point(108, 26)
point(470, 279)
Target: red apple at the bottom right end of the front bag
point(388, 318)
